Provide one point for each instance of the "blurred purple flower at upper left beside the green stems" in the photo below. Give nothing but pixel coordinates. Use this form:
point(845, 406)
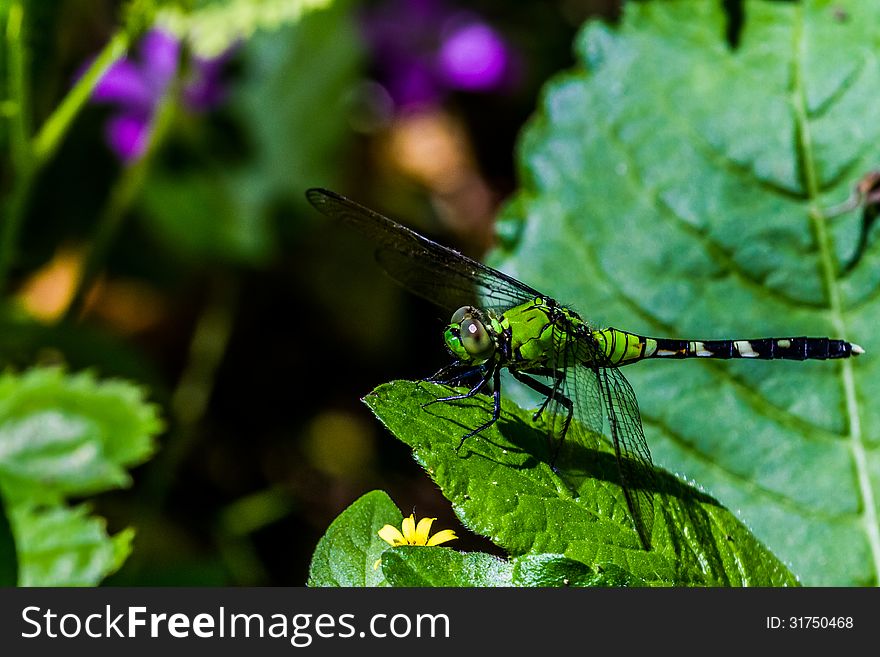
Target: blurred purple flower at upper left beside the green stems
point(137, 87)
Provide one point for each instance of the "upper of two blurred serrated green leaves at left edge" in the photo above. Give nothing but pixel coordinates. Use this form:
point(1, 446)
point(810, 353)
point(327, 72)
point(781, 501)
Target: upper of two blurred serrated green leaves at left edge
point(64, 435)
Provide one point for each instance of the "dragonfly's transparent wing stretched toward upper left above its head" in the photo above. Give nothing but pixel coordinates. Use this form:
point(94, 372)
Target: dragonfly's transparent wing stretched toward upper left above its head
point(430, 270)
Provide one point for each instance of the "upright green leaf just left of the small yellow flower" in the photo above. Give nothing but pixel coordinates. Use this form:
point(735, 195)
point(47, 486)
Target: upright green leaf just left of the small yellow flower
point(348, 553)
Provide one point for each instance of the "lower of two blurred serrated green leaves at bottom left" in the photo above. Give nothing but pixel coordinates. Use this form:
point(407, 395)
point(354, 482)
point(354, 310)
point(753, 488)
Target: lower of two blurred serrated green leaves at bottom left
point(60, 546)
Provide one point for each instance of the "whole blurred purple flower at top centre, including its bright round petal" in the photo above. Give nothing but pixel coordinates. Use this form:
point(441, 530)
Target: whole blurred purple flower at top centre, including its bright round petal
point(425, 48)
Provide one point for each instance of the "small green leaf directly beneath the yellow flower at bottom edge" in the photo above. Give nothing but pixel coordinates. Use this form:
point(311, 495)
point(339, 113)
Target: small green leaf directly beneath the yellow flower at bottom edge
point(416, 565)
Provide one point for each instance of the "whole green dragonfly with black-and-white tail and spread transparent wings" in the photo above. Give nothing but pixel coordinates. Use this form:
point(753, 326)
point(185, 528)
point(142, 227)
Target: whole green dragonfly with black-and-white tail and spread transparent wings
point(500, 323)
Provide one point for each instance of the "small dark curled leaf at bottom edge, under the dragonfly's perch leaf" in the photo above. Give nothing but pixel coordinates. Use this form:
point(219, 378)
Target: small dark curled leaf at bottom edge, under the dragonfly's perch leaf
point(557, 570)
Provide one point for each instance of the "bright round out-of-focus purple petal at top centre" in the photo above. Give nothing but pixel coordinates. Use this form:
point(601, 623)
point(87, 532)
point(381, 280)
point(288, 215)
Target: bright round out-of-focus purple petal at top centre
point(473, 57)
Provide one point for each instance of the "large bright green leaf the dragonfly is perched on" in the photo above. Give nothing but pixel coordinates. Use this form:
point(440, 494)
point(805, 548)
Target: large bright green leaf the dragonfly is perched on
point(501, 486)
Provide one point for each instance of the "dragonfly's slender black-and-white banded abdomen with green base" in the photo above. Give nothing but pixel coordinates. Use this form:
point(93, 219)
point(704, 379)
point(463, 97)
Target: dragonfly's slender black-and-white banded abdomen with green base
point(623, 348)
